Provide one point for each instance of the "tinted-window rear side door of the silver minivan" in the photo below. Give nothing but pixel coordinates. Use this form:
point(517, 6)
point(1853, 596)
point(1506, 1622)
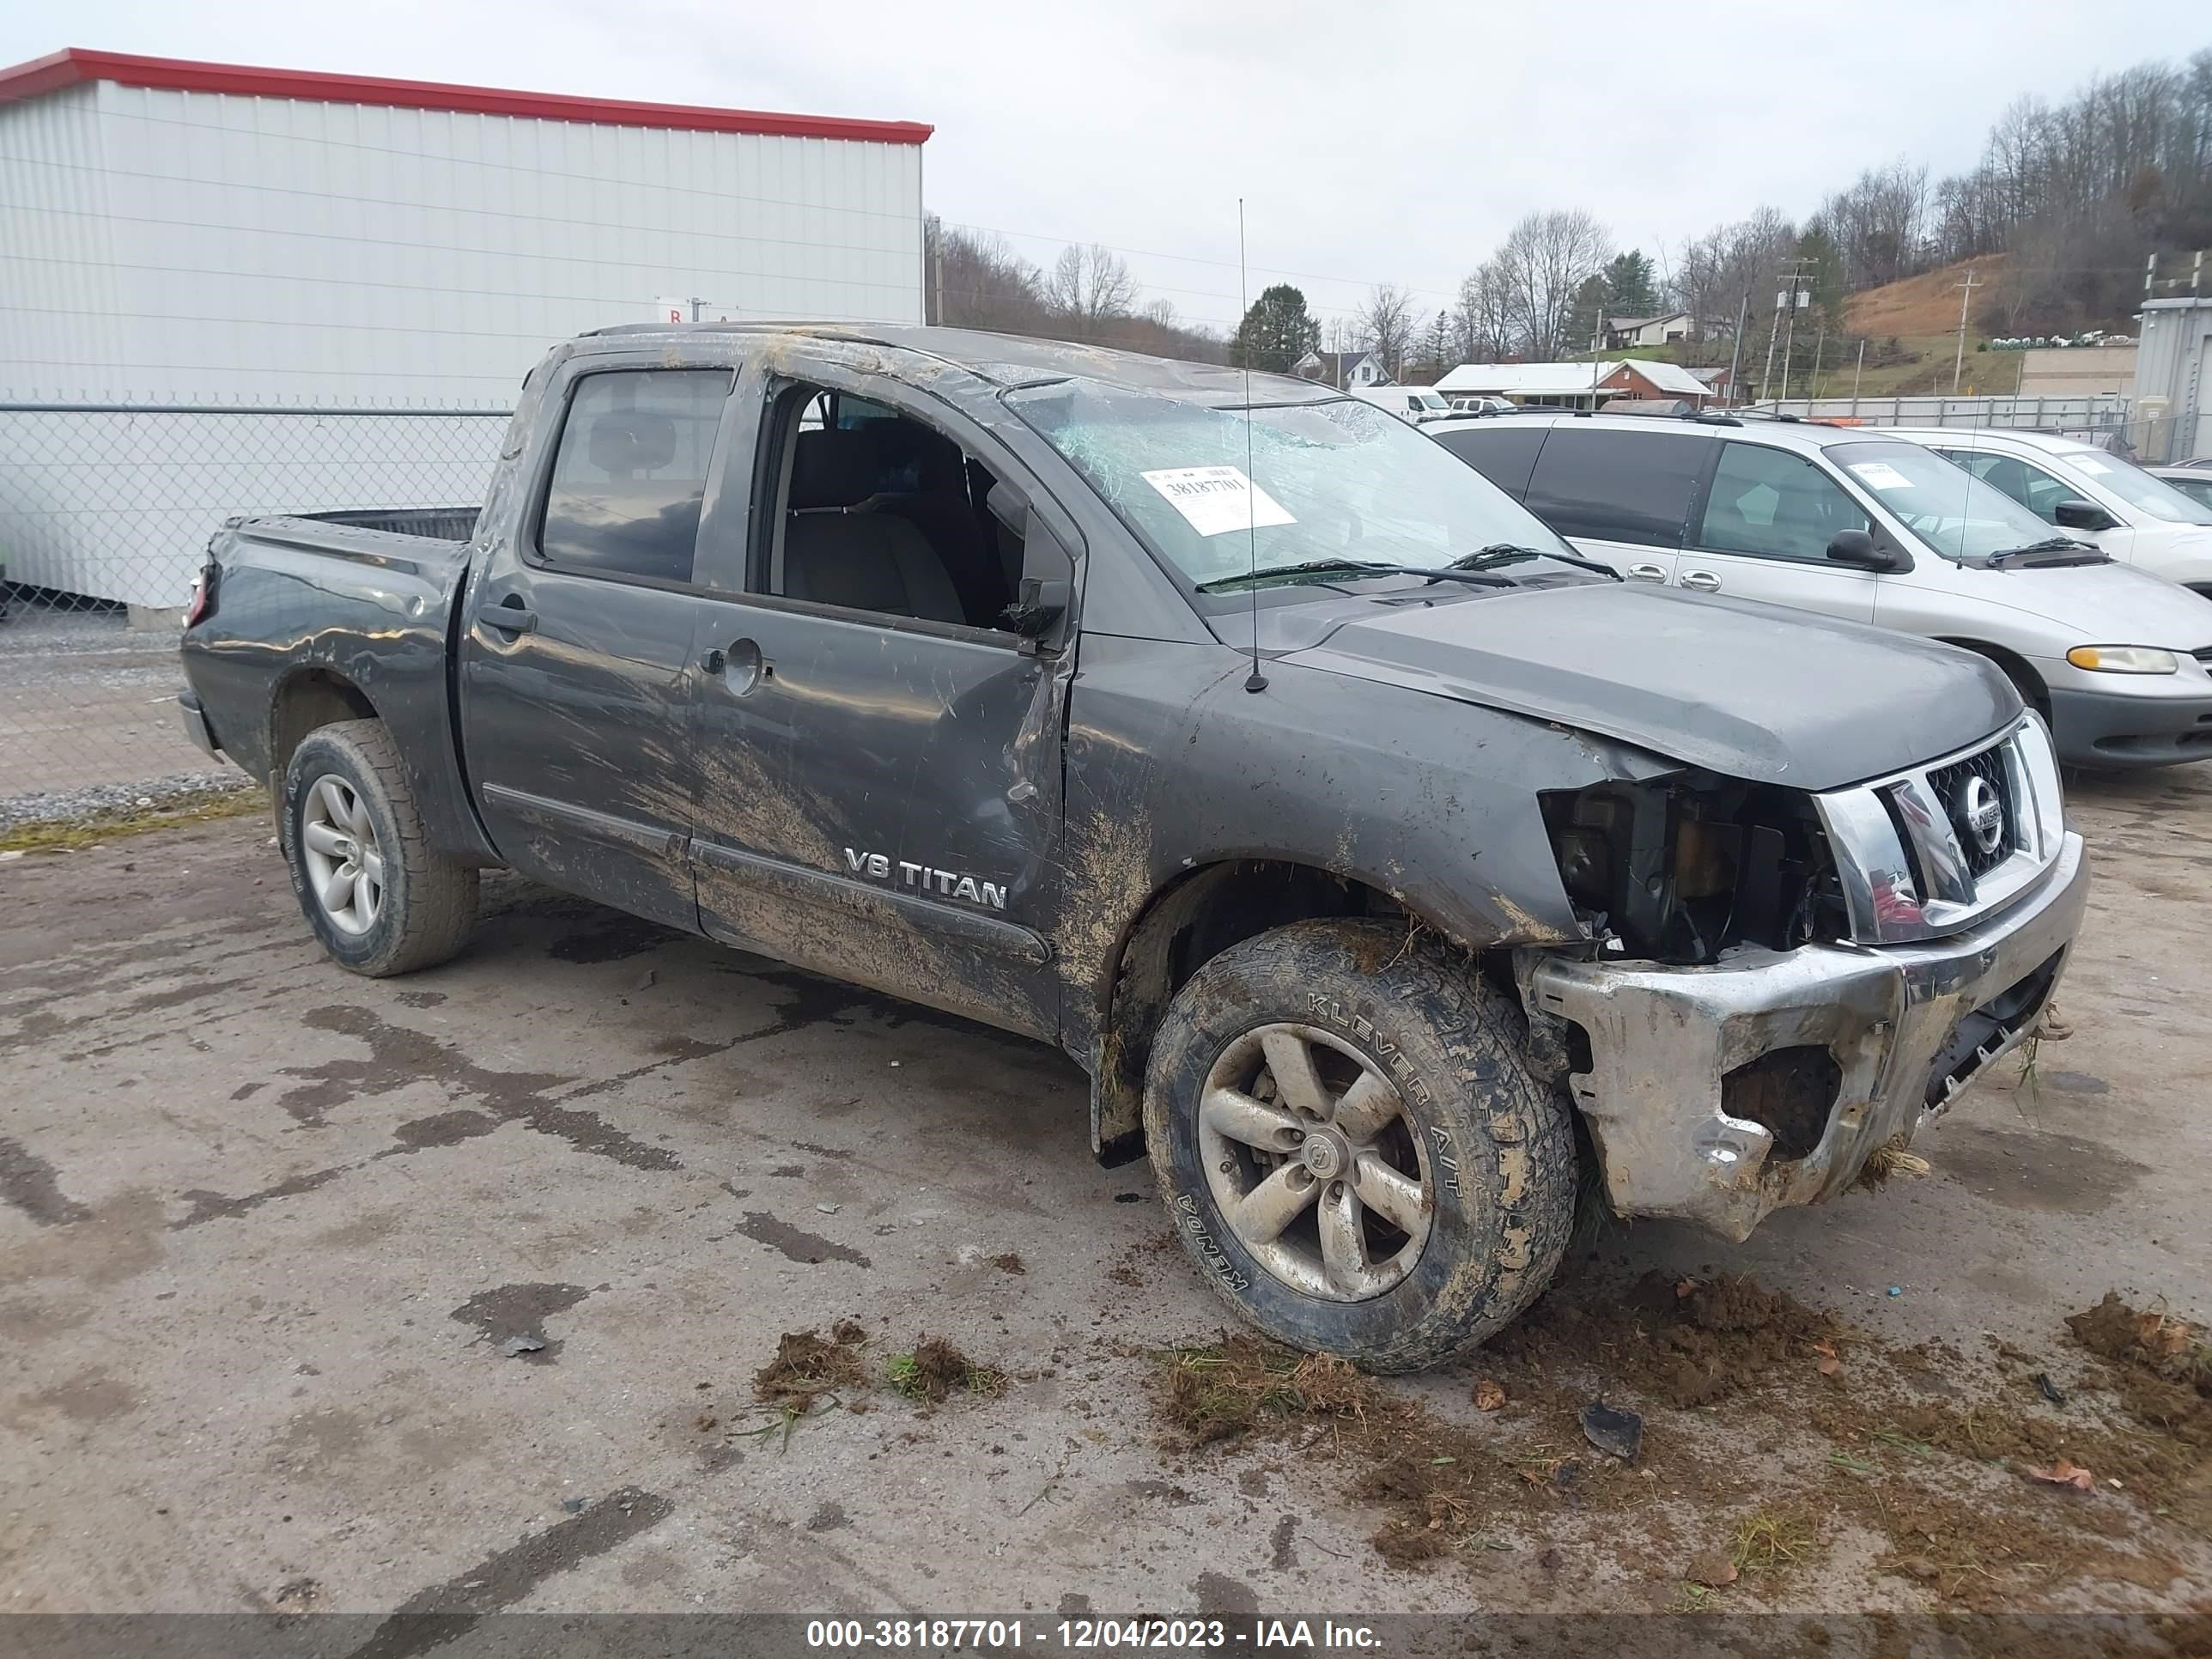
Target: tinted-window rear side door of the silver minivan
point(1620, 497)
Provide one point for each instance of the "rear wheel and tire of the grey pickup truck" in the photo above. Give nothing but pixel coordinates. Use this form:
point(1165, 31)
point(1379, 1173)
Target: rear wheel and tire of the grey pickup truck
point(373, 888)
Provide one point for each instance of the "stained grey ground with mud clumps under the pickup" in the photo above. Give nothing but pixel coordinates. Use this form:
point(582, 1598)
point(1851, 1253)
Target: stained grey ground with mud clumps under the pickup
point(322, 1293)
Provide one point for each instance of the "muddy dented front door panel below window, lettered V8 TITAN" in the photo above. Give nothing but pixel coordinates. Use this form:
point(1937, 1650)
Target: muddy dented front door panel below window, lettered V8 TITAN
point(879, 802)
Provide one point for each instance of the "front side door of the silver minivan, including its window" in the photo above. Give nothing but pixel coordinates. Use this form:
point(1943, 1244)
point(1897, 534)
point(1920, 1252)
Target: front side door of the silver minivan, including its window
point(1764, 534)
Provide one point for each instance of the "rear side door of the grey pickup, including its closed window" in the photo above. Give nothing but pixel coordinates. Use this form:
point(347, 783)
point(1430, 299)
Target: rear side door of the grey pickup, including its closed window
point(574, 658)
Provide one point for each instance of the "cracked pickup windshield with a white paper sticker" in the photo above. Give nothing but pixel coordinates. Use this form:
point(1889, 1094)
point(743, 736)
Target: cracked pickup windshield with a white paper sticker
point(1335, 481)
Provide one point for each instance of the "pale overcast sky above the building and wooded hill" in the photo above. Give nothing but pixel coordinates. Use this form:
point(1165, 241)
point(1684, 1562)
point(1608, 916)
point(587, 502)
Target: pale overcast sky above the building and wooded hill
point(1373, 143)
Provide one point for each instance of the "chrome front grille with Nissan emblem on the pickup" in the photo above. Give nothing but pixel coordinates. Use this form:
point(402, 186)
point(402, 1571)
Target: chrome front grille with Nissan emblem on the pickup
point(1934, 851)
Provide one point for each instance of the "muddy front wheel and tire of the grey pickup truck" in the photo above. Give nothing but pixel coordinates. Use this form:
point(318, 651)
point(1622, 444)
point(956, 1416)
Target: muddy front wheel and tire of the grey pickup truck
point(1353, 1147)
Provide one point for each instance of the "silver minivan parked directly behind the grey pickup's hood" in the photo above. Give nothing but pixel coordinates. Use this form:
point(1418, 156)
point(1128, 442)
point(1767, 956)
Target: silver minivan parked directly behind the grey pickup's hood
point(1868, 528)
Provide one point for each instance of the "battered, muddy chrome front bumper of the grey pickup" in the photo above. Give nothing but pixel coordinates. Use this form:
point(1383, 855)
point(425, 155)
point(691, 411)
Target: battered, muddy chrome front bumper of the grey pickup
point(1903, 1027)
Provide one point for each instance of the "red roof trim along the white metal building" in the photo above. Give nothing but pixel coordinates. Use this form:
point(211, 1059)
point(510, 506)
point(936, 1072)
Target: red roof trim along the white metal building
point(242, 81)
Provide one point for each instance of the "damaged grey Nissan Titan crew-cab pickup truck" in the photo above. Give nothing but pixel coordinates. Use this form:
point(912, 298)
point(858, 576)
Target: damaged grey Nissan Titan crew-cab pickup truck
point(1386, 864)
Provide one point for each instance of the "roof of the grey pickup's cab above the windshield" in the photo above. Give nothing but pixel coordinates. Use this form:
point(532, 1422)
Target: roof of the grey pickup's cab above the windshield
point(1016, 359)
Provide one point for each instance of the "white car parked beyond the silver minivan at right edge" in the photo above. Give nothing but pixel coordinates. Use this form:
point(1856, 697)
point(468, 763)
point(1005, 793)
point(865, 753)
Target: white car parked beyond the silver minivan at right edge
point(2089, 494)
